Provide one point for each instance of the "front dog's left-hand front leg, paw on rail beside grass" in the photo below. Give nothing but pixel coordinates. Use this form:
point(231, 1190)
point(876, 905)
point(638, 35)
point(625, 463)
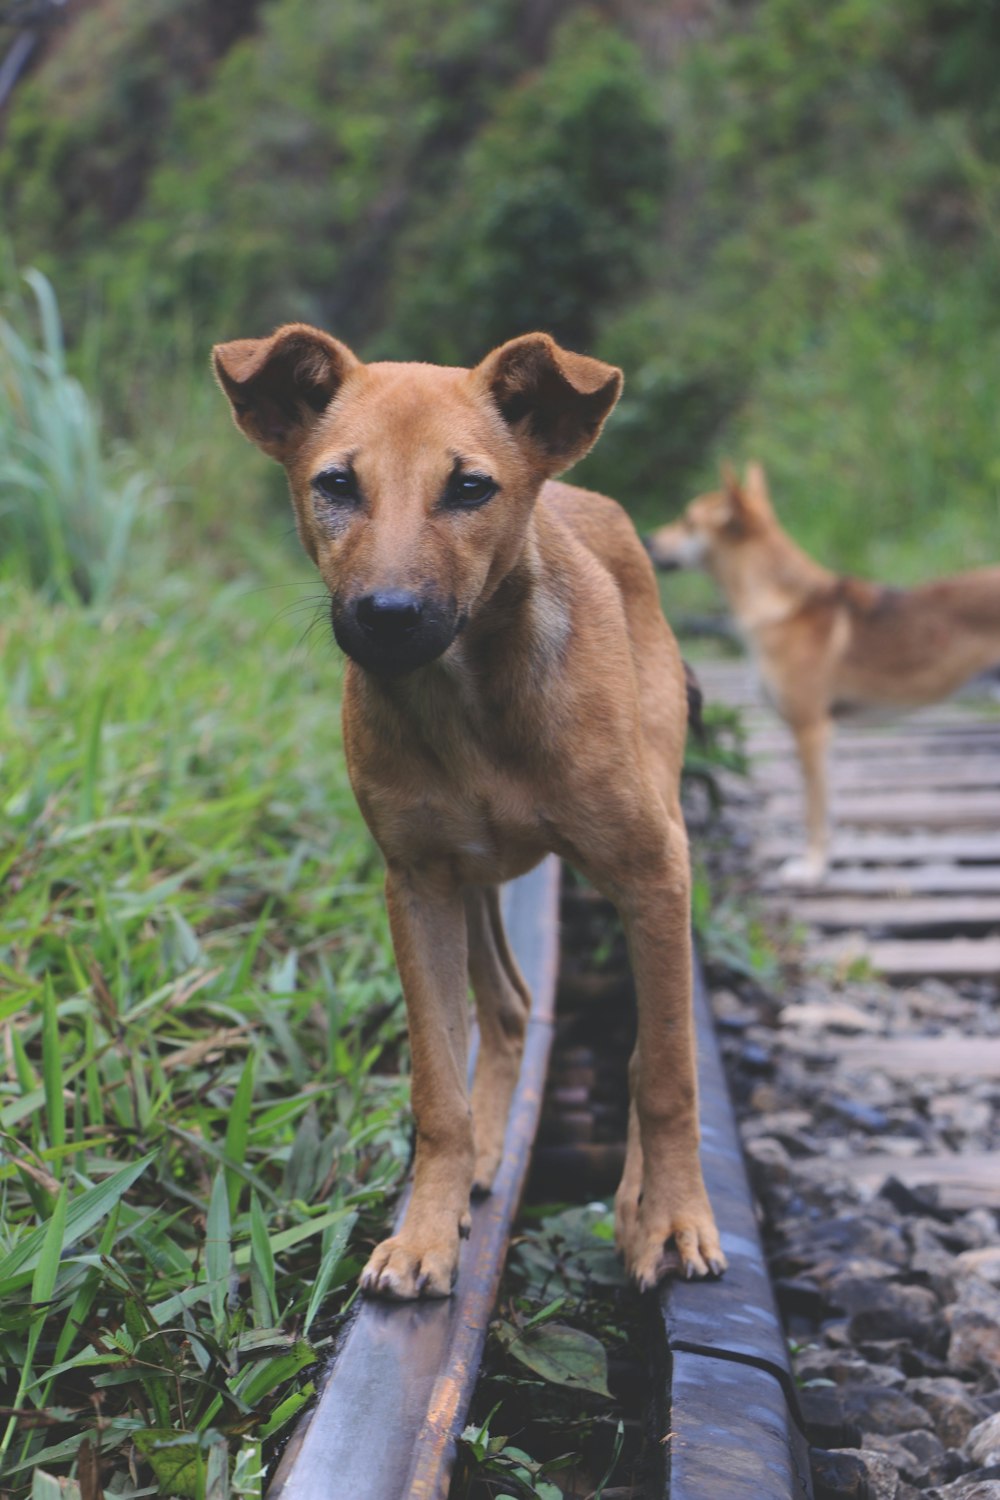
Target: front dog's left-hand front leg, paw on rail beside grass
point(430, 935)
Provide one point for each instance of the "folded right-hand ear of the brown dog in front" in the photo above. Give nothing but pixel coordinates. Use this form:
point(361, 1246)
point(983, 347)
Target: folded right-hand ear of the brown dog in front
point(554, 400)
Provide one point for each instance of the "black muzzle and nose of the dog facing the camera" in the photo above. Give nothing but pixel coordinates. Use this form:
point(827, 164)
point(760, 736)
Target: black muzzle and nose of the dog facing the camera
point(394, 632)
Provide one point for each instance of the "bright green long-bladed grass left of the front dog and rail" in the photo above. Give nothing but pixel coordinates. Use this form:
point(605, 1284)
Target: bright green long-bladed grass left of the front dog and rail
point(202, 1108)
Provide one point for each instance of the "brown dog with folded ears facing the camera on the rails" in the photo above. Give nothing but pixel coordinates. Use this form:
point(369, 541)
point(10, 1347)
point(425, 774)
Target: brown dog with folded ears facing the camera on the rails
point(512, 689)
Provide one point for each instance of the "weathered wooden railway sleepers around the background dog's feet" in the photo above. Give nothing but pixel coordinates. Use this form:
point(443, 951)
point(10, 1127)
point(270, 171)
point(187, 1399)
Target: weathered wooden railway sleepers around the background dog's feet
point(912, 895)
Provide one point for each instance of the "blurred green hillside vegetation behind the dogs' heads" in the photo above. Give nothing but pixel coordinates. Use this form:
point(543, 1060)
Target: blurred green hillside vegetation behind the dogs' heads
point(782, 220)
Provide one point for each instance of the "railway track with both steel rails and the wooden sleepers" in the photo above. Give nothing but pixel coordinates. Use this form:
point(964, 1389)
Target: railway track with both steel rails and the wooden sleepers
point(914, 890)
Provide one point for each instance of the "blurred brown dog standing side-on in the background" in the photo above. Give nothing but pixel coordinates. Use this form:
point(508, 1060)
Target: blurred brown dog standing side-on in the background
point(827, 646)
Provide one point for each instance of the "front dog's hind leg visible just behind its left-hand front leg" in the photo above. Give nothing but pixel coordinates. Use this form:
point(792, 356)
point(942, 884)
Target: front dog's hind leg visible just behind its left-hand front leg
point(503, 1003)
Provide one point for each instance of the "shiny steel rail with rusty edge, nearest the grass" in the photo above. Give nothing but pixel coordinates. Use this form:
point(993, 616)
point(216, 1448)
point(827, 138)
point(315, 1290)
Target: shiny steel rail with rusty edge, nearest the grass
point(398, 1391)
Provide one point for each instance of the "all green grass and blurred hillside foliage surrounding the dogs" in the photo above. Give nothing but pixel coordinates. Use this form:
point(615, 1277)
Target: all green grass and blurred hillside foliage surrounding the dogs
point(780, 218)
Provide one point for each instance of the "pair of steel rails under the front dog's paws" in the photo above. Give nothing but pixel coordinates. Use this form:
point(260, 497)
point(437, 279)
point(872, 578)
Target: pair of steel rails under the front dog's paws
point(722, 1412)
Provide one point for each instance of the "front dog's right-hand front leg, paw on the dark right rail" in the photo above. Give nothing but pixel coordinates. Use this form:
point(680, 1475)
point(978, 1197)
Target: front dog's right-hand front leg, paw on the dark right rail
point(662, 1196)
